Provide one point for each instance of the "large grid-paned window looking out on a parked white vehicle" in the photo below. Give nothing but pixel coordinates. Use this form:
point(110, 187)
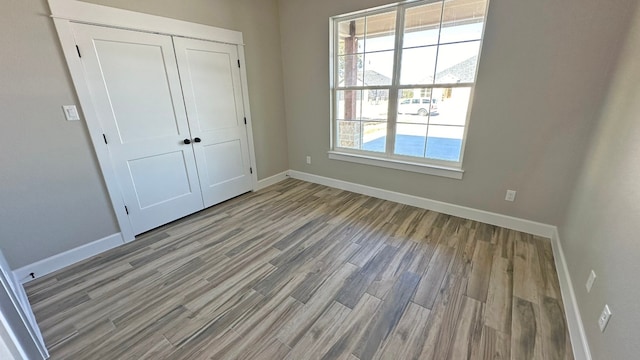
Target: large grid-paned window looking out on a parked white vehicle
point(402, 81)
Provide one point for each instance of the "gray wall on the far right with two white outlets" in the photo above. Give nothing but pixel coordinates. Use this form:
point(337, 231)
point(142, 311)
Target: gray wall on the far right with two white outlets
point(602, 226)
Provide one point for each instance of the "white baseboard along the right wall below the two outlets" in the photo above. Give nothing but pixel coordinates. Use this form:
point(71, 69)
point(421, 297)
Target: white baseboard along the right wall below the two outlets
point(578, 336)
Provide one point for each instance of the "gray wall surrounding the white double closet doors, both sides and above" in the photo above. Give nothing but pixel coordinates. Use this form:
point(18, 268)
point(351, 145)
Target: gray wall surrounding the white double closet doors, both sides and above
point(52, 196)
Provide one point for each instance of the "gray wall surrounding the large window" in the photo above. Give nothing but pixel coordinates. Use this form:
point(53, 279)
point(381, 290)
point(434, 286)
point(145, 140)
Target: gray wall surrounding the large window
point(543, 73)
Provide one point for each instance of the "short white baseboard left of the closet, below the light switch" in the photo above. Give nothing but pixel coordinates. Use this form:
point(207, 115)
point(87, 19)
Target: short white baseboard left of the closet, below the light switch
point(69, 257)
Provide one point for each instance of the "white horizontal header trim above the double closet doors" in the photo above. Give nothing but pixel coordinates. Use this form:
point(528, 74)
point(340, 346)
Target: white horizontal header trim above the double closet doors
point(107, 16)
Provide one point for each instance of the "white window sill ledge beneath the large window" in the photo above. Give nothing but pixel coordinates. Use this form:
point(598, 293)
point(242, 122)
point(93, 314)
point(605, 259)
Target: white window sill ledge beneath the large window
point(443, 171)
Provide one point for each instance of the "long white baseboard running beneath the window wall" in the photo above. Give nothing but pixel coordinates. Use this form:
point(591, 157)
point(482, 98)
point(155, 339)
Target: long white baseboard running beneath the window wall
point(509, 222)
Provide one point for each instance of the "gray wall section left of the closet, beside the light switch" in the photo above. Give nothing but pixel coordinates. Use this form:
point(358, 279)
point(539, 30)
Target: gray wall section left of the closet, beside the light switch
point(52, 196)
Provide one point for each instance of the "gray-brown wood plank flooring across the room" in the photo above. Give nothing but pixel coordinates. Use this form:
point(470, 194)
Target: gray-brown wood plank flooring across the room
point(303, 271)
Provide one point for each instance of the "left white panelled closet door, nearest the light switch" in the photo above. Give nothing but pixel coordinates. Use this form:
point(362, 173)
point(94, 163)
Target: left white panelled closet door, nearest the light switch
point(135, 87)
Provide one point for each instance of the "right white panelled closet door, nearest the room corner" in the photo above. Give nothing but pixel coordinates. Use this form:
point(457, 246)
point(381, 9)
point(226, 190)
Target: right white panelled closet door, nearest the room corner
point(213, 96)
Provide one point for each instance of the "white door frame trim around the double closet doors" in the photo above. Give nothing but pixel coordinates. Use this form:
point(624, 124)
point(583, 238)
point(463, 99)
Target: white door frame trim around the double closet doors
point(64, 12)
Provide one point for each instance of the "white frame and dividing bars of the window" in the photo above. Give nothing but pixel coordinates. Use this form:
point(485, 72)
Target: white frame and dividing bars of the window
point(450, 169)
